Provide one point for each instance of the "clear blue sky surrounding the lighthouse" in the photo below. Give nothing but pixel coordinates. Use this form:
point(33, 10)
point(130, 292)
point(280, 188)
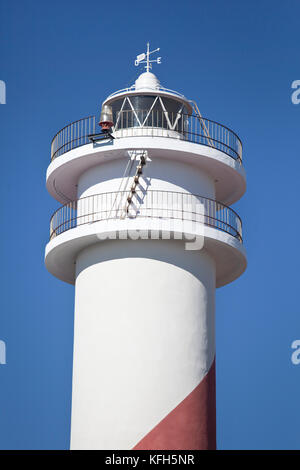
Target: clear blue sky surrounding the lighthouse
point(59, 60)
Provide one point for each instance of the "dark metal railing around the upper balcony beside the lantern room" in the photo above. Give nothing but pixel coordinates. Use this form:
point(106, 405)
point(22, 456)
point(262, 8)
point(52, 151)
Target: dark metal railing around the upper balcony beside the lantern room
point(147, 123)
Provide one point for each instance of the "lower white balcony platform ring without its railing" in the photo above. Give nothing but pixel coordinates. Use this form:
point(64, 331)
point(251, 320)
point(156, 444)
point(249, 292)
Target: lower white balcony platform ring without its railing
point(228, 252)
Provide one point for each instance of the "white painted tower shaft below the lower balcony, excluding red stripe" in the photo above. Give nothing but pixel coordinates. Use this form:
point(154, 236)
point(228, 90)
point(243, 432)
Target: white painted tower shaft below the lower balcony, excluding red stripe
point(144, 337)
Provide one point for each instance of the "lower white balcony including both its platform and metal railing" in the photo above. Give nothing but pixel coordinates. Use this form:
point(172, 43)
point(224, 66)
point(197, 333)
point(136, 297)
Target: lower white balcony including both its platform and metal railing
point(198, 222)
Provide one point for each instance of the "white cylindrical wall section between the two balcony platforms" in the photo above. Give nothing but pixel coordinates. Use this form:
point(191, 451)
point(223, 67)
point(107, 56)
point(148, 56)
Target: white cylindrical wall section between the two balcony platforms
point(158, 175)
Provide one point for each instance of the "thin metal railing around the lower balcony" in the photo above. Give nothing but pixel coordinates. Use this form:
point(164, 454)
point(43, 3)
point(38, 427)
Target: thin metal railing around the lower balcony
point(166, 205)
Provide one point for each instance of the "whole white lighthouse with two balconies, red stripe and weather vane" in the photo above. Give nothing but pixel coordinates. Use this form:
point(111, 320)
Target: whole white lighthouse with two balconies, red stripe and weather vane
point(146, 235)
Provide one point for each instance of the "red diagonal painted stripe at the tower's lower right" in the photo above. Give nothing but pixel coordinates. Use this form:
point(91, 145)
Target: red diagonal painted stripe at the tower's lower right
point(191, 425)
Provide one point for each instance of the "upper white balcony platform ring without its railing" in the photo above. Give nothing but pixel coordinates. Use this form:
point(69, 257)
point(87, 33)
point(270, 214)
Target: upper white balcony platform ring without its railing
point(64, 171)
